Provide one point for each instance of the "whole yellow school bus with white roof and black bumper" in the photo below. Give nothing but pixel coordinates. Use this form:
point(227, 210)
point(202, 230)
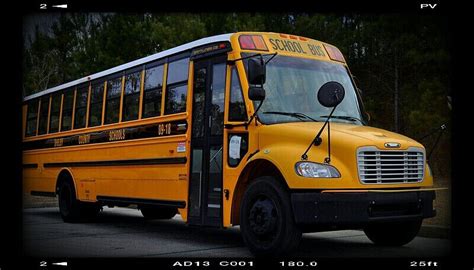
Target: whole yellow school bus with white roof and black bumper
point(262, 130)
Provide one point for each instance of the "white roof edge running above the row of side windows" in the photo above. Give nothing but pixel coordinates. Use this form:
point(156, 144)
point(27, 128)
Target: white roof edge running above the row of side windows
point(150, 58)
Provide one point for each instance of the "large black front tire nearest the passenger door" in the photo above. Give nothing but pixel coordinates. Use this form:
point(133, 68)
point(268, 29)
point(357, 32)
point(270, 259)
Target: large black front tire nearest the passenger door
point(266, 219)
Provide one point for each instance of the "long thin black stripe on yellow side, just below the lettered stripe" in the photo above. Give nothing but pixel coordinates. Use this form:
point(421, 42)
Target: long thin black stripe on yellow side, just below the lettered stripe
point(125, 162)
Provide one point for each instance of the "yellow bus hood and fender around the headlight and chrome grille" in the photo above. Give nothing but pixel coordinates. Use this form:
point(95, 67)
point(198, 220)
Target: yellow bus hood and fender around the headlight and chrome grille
point(284, 144)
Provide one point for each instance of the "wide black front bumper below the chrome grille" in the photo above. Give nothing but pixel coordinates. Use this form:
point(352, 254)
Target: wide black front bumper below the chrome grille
point(351, 208)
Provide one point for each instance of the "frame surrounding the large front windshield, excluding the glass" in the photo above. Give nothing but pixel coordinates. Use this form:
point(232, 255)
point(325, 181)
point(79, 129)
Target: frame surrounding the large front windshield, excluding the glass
point(359, 106)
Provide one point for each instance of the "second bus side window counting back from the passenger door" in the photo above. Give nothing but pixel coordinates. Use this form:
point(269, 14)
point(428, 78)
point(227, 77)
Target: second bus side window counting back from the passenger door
point(152, 91)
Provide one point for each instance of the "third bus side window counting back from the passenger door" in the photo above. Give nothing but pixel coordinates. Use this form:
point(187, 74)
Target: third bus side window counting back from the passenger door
point(131, 97)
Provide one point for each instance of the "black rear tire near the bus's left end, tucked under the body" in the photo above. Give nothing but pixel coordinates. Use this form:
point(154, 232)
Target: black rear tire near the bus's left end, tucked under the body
point(71, 209)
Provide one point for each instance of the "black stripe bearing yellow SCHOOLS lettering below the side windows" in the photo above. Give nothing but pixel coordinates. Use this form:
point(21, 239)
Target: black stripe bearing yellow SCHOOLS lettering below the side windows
point(121, 134)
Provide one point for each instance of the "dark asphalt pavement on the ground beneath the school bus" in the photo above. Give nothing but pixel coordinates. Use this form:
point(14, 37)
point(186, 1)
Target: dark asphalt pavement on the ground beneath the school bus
point(123, 232)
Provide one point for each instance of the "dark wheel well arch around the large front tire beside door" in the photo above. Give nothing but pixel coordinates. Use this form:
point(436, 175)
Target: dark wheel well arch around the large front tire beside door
point(252, 171)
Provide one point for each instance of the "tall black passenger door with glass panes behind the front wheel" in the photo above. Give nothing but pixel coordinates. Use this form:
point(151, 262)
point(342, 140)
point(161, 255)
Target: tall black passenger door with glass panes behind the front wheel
point(205, 188)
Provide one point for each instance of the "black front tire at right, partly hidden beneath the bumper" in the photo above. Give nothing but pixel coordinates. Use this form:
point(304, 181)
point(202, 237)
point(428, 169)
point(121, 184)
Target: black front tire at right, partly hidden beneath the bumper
point(393, 233)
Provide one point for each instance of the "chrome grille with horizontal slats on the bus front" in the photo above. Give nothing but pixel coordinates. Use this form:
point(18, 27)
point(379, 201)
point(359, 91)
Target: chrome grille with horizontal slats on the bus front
point(390, 166)
